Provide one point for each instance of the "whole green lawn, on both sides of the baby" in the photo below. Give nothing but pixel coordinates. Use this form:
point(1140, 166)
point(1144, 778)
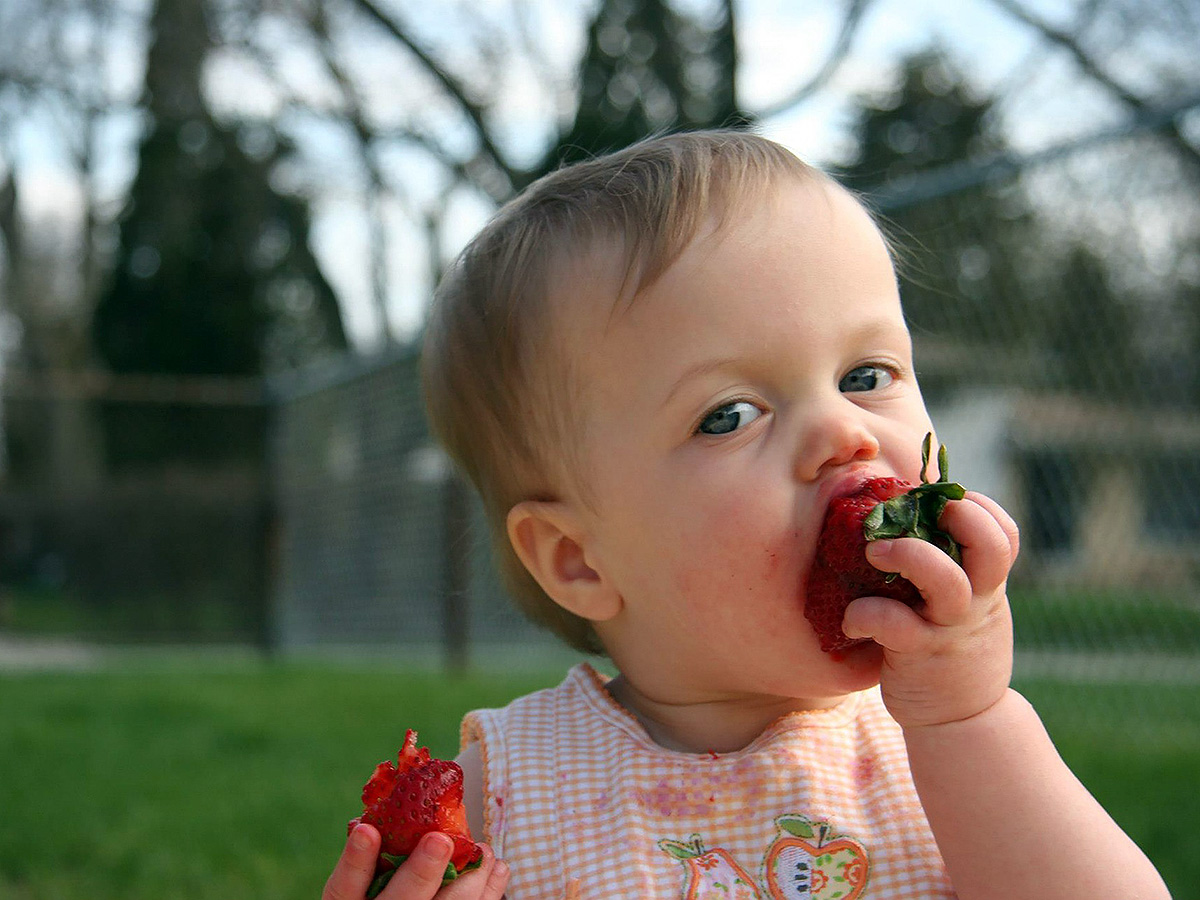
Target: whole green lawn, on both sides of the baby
point(154, 782)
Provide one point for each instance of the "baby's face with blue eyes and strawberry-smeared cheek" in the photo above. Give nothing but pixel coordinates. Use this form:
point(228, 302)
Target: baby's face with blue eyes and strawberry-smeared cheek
point(769, 370)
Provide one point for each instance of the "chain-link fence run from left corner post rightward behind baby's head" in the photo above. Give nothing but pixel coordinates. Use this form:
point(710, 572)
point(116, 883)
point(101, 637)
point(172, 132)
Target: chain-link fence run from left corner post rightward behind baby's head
point(1055, 304)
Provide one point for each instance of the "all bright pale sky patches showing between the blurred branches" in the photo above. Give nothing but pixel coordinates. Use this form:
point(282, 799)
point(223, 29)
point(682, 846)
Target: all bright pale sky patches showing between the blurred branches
point(782, 44)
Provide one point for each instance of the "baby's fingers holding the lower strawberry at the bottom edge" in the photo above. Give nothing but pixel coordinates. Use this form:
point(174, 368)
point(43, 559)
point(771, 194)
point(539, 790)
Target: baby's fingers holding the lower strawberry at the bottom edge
point(419, 878)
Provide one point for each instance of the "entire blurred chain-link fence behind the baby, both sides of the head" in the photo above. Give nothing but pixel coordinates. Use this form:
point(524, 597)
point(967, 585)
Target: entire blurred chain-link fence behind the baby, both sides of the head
point(1055, 307)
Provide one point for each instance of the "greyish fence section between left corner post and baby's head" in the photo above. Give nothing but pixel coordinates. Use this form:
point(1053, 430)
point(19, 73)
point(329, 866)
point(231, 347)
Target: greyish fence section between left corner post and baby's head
point(381, 547)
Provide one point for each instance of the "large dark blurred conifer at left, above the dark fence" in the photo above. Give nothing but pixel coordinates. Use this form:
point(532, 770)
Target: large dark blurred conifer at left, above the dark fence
point(214, 274)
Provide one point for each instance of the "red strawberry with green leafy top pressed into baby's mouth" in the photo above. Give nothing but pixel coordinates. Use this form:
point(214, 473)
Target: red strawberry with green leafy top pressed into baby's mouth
point(880, 508)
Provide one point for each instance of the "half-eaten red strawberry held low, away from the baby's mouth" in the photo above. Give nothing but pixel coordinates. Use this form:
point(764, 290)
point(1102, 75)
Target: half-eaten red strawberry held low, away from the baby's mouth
point(406, 801)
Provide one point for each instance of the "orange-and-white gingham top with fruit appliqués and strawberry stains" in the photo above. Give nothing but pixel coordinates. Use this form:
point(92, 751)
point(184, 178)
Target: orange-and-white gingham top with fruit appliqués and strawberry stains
point(584, 806)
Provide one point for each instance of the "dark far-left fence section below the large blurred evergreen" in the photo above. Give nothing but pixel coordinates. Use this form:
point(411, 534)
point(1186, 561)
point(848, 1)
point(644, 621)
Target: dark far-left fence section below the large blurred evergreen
point(104, 553)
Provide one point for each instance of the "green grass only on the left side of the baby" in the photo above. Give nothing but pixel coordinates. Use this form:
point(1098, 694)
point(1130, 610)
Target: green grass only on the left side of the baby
point(193, 784)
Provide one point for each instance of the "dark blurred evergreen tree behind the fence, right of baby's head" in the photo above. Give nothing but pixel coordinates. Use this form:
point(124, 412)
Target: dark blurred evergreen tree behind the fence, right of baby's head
point(962, 260)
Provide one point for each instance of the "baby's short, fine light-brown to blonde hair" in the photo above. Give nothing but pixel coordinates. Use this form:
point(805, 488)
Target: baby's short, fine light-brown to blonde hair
point(497, 391)
